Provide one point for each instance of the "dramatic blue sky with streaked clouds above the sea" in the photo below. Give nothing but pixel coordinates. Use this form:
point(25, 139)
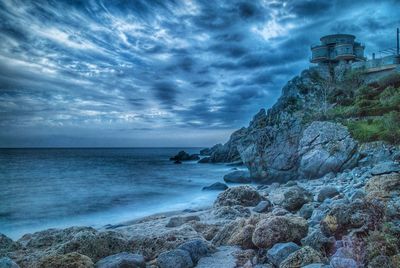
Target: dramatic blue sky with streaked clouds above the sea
point(158, 73)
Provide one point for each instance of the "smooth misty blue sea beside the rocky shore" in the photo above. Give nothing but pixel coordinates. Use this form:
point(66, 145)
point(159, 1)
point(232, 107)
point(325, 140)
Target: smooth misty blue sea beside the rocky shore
point(56, 188)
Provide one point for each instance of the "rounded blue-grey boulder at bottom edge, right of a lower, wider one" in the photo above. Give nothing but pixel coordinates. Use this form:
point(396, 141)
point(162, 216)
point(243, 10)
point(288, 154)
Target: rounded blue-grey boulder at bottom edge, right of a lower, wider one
point(176, 258)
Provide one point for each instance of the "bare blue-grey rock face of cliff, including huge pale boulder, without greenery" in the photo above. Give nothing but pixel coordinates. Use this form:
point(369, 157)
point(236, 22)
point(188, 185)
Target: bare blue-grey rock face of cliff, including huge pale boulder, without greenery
point(282, 144)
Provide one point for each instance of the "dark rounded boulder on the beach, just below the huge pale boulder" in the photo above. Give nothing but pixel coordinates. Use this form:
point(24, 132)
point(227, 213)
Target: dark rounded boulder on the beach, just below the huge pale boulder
point(295, 197)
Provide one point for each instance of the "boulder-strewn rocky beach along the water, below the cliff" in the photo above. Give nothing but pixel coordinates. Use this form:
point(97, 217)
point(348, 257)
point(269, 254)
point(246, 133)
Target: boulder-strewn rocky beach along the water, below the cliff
point(349, 219)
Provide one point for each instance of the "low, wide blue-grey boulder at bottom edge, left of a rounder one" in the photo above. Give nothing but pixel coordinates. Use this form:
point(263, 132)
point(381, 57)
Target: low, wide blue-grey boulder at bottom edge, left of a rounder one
point(122, 260)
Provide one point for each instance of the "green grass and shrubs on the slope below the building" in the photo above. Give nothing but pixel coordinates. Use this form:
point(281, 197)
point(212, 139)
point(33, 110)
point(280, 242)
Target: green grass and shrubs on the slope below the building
point(370, 111)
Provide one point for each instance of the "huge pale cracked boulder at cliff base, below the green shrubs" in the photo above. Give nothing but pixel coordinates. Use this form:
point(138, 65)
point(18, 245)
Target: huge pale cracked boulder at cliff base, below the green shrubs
point(326, 147)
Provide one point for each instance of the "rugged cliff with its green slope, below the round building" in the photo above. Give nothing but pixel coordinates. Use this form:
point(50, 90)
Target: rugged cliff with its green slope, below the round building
point(316, 127)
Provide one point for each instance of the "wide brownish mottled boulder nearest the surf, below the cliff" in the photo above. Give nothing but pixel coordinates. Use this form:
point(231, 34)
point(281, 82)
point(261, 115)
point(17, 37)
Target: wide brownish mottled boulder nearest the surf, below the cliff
point(240, 195)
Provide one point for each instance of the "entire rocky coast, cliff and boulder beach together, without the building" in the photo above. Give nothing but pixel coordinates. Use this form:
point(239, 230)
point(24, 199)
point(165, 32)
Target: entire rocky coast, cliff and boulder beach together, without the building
point(324, 174)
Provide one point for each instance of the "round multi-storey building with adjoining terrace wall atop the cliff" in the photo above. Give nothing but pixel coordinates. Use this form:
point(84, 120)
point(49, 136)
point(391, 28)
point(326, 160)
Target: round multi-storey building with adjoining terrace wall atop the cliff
point(340, 52)
